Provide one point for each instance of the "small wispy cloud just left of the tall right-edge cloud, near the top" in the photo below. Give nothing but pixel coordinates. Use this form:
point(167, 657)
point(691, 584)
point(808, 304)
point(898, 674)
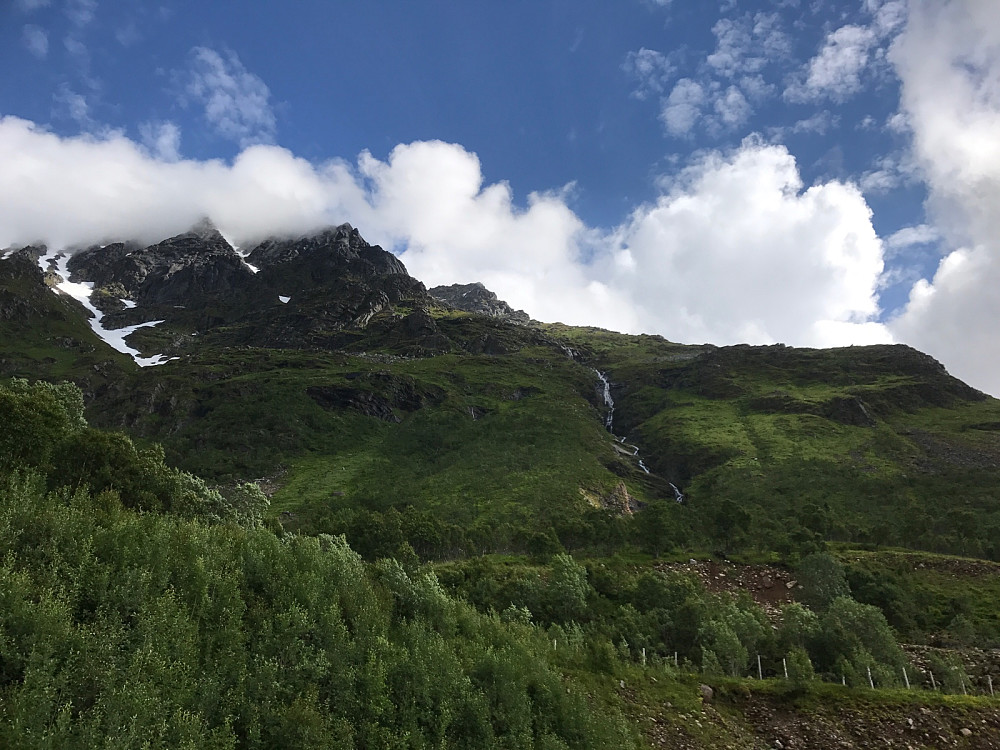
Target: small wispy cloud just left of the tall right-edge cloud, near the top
point(836, 71)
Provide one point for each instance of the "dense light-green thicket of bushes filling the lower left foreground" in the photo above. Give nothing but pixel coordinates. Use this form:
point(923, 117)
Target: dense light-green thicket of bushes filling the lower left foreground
point(121, 628)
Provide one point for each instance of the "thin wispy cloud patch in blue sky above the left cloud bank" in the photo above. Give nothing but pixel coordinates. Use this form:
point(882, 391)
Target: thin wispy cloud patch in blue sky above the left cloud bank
point(236, 101)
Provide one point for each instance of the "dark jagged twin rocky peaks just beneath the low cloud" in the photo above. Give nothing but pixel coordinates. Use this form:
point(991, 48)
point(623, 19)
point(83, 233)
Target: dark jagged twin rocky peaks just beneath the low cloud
point(288, 292)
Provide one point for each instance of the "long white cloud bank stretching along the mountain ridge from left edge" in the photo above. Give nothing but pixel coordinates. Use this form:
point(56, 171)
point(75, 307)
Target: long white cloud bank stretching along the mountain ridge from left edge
point(736, 249)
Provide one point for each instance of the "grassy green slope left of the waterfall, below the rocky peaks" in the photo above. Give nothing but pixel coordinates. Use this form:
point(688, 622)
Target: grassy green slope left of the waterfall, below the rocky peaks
point(498, 436)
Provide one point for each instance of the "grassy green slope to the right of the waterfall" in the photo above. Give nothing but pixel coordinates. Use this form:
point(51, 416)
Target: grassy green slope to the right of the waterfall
point(781, 433)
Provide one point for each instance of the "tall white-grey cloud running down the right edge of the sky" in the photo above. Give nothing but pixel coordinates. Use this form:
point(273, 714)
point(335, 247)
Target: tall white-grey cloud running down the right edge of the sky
point(948, 59)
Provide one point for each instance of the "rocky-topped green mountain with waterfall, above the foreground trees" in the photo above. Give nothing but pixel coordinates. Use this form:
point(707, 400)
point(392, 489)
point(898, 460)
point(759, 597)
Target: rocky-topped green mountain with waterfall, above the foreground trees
point(308, 355)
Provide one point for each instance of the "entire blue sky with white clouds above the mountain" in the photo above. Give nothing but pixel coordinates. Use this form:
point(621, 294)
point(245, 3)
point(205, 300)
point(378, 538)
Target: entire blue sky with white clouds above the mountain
point(748, 171)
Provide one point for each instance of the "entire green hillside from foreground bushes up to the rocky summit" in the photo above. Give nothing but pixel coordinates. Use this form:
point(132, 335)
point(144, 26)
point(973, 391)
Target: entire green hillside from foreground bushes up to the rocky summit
point(272, 539)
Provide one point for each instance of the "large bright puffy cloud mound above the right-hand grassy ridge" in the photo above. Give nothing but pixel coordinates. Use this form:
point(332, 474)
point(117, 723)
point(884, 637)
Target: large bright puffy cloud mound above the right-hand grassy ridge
point(737, 251)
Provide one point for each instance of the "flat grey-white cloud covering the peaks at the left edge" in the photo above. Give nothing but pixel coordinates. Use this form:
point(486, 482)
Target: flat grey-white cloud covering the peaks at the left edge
point(69, 191)
